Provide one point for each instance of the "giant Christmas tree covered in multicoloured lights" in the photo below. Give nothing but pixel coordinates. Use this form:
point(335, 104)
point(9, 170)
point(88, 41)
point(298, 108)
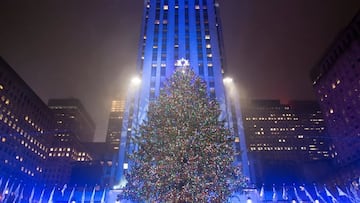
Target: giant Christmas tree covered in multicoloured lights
point(184, 153)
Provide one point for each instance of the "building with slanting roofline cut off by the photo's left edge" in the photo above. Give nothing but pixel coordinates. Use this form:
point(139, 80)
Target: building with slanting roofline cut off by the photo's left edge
point(26, 131)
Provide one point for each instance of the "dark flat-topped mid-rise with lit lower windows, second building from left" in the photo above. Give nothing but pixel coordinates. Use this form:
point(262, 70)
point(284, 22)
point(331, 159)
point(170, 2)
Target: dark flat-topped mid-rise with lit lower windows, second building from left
point(73, 128)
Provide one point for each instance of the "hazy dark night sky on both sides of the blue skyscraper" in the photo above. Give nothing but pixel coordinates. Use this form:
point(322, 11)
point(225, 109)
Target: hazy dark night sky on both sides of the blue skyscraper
point(87, 49)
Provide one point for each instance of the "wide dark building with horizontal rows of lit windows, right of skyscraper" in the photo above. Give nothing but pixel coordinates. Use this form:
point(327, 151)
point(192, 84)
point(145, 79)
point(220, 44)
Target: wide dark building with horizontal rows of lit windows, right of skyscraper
point(283, 138)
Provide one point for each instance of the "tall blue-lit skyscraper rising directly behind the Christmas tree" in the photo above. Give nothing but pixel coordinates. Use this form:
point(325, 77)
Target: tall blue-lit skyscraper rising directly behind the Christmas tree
point(186, 33)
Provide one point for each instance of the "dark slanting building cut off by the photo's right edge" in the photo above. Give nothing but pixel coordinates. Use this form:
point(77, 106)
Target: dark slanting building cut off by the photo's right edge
point(336, 80)
